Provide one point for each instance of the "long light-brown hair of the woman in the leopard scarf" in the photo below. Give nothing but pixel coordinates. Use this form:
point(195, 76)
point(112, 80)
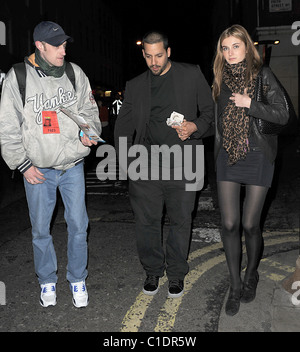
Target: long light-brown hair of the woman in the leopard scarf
point(253, 59)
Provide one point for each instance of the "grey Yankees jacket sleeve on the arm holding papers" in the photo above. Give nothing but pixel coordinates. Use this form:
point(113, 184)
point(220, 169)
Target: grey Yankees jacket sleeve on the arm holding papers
point(87, 106)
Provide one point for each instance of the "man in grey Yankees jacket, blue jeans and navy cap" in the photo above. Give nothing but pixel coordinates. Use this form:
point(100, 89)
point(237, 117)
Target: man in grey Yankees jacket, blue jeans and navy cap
point(47, 147)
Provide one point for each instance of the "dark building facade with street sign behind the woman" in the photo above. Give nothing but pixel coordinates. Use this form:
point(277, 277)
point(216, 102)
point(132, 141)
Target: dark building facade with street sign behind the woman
point(280, 20)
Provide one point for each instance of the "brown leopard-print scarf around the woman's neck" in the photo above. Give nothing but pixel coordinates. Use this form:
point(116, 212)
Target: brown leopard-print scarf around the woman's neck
point(235, 122)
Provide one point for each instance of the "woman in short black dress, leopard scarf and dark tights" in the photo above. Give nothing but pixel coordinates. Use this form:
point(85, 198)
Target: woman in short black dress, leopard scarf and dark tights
point(243, 155)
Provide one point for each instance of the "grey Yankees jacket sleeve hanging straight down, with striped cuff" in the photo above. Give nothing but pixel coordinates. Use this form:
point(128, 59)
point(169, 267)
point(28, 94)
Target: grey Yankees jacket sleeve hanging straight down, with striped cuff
point(11, 116)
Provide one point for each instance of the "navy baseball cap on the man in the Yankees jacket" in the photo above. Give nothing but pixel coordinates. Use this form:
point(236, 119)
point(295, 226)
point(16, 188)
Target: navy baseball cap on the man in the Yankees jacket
point(51, 33)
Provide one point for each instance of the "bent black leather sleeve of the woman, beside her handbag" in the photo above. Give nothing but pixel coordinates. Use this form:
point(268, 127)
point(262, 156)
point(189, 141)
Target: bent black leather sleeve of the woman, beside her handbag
point(274, 108)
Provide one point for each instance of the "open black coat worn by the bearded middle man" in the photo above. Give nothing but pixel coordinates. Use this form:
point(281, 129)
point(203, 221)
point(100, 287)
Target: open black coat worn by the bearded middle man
point(194, 101)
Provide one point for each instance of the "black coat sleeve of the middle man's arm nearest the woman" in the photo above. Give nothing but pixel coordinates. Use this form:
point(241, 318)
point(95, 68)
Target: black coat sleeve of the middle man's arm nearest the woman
point(205, 122)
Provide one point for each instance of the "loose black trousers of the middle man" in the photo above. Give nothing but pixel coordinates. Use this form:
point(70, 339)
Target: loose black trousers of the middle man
point(148, 199)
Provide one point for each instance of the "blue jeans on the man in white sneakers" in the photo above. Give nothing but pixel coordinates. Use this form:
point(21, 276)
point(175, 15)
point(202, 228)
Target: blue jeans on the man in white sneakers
point(41, 201)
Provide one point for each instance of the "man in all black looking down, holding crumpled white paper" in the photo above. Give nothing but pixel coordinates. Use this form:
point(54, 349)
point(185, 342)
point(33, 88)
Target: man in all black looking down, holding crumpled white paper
point(167, 88)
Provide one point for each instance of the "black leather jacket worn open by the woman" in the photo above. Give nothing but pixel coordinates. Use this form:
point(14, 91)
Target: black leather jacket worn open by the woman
point(274, 110)
